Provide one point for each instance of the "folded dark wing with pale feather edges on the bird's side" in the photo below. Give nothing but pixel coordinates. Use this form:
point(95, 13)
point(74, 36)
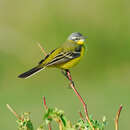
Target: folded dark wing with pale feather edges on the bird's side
point(63, 57)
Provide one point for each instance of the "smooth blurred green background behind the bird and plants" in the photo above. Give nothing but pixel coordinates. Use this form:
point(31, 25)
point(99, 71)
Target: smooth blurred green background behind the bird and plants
point(102, 77)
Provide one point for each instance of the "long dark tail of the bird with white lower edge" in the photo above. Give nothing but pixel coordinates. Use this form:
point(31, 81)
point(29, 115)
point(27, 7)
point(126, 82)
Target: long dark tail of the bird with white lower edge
point(30, 72)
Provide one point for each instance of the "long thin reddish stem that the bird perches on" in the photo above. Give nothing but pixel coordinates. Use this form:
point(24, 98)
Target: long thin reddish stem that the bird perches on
point(68, 75)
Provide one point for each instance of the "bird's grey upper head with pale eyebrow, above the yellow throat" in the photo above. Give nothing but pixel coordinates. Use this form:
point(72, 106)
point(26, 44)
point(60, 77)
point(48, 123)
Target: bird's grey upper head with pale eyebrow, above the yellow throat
point(76, 36)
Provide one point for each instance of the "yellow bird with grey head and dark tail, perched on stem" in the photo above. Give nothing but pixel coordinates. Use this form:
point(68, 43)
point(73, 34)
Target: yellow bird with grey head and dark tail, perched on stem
point(64, 57)
